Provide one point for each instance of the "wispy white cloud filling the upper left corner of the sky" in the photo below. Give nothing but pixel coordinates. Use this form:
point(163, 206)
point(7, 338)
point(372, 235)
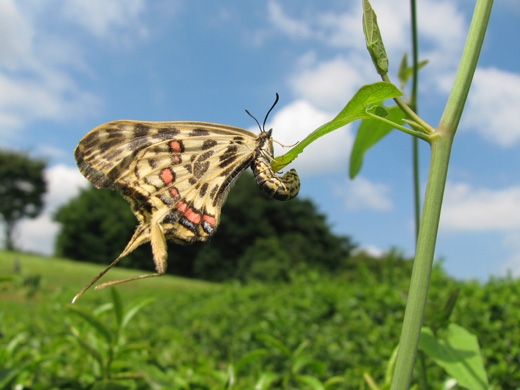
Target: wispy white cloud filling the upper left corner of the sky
point(36, 65)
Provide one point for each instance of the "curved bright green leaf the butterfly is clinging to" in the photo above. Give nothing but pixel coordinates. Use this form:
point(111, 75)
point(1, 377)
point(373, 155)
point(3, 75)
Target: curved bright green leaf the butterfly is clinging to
point(355, 109)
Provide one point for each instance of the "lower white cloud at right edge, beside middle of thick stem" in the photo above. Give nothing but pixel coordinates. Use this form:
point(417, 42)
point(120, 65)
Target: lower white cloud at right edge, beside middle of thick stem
point(480, 209)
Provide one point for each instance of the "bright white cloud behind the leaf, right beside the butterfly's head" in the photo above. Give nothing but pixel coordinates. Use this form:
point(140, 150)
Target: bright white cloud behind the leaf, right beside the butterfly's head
point(294, 122)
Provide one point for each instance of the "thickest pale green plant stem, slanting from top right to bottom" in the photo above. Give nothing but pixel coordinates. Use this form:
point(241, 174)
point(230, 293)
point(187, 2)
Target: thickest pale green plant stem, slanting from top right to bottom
point(441, 143)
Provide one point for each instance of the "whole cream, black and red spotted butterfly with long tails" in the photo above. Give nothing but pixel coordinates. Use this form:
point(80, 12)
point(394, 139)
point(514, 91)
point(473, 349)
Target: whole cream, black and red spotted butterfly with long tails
point(176, 177)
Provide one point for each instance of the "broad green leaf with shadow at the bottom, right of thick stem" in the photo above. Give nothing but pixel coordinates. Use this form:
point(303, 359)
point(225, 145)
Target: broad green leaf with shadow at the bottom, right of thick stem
point(459, 354)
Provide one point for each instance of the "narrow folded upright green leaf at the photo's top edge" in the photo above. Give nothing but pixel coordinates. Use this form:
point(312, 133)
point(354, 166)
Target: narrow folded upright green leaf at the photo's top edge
point(374, 40)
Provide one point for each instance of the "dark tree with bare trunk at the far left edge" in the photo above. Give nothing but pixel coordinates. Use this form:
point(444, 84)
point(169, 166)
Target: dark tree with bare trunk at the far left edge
point(22, 186)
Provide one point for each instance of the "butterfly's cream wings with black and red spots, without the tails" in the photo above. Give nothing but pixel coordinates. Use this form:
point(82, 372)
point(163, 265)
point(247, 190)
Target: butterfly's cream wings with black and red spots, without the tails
point(178, 172)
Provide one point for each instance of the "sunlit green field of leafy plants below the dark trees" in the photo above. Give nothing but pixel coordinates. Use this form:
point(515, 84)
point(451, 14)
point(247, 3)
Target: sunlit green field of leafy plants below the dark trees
point(315, 332)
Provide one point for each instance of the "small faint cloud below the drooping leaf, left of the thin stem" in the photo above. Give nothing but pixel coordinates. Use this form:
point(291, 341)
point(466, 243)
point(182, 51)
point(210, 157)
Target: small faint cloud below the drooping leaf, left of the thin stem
point(362, 194)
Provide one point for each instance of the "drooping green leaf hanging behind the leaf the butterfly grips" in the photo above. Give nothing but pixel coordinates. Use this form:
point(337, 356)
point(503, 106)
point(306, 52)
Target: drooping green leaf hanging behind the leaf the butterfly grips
point(369, 133)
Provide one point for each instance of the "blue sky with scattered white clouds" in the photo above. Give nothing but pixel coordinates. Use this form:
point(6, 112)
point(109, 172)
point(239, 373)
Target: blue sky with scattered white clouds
point(69, 66)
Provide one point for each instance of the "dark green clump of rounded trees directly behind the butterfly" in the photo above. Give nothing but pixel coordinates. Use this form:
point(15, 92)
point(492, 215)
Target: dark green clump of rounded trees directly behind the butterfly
point(288, 236)
